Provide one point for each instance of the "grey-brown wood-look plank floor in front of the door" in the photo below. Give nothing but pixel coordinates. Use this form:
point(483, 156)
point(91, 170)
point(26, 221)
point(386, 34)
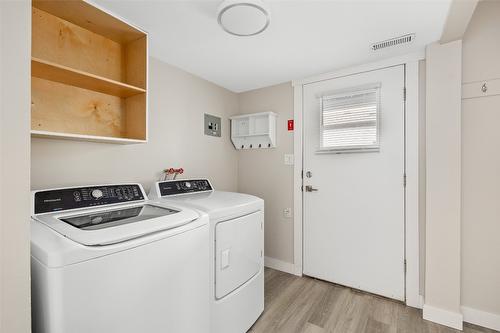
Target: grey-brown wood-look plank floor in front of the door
point(303, 304)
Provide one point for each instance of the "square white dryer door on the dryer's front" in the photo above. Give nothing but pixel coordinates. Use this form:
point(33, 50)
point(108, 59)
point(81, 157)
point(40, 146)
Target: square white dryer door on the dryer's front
point(238, 252)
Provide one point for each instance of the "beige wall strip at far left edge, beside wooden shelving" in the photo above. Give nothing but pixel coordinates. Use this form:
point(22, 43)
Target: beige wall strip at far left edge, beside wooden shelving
point(15, 52)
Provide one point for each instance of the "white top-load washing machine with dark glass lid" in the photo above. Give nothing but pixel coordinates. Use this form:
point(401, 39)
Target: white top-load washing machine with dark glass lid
point(107, 260)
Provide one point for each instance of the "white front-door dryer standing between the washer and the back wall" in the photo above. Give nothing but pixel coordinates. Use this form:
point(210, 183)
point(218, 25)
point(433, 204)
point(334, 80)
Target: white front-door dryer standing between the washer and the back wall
point(236, 250)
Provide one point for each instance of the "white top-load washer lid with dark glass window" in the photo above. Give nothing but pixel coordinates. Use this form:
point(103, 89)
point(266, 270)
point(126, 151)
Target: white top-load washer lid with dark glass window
point(110, 225)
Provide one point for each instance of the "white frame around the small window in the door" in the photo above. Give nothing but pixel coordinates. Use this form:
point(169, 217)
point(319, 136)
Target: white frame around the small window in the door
point(376, 87)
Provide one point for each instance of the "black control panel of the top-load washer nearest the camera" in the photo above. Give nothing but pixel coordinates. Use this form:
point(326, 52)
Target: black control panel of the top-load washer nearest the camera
point(83, 197)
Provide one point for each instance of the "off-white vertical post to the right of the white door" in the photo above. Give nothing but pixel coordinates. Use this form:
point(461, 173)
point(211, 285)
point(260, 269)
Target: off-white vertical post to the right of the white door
point(443, 94)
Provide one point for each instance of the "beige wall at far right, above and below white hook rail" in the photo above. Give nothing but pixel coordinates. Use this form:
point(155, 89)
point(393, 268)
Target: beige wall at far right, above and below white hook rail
point(481, 165)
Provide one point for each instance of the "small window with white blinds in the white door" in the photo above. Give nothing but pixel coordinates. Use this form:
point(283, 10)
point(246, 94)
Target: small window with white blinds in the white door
point(349, 120)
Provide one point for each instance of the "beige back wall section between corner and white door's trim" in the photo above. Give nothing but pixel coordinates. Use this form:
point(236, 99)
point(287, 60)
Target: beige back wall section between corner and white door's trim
point(262, 172)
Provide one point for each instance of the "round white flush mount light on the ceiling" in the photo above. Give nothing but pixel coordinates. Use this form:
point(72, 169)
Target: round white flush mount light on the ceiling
point(243, 17)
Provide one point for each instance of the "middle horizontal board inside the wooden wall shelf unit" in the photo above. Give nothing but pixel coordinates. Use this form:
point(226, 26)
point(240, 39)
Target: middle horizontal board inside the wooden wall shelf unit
point(51, 71)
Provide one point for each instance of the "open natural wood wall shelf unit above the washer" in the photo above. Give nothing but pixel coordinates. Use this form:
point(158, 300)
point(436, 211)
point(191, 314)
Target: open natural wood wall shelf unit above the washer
point(89, 74)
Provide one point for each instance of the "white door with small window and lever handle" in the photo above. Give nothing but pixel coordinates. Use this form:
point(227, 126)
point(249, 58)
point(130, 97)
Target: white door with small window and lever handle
point(354, 181)
